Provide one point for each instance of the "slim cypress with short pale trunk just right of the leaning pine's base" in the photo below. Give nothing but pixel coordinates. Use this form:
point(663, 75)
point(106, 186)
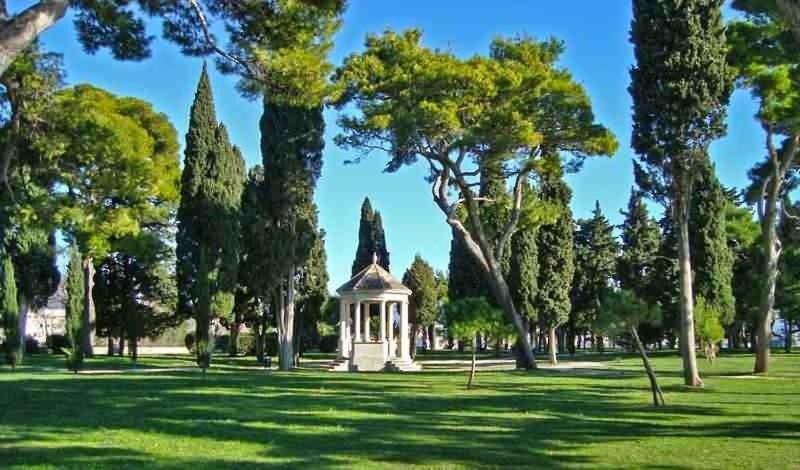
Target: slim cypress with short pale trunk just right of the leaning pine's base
point(556, 261)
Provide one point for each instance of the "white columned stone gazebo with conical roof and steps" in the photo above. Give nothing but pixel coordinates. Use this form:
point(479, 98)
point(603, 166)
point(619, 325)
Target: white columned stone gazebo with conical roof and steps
point(386, 349)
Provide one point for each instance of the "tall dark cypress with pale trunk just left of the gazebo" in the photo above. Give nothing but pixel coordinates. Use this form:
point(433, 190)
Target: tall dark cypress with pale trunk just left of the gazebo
point(291, 149)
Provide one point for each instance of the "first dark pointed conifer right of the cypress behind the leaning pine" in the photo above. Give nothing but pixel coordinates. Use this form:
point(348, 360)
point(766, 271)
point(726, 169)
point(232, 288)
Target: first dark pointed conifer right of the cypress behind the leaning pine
point(595, 267)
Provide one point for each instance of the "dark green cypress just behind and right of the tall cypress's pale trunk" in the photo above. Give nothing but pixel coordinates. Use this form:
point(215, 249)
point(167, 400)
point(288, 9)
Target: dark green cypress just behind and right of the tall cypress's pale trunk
point(712, 258)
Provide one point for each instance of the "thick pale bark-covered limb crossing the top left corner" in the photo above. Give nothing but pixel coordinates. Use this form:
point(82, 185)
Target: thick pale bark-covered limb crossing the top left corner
point(19, 31)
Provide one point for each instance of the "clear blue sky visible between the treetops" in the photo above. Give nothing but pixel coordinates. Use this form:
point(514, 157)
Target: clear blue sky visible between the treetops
point(597, 53)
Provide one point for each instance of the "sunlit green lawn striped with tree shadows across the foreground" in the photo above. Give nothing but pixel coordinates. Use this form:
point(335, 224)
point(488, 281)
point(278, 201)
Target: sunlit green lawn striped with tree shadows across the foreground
point(242, 417)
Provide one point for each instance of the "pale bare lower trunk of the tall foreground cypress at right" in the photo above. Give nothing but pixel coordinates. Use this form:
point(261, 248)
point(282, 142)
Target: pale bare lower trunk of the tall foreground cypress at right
point(691, 376)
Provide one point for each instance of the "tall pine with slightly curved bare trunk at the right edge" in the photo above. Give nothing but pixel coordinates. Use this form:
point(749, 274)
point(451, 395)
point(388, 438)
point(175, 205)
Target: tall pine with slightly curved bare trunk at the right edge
point(764, 54)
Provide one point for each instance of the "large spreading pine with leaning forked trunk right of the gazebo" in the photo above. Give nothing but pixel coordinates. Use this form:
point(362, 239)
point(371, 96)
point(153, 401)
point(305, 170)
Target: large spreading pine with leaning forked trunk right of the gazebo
point(461, 114)
